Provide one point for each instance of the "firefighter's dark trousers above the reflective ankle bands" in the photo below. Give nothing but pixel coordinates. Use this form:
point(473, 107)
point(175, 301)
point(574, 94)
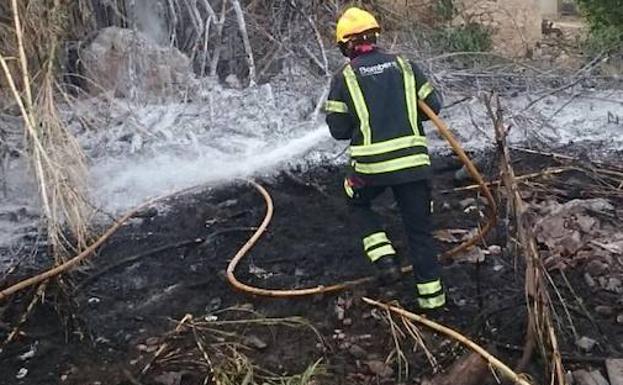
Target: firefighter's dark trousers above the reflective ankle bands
point(414, 202)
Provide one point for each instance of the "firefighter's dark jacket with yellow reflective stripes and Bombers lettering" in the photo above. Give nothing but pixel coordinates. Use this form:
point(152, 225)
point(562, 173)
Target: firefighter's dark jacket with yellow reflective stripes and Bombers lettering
point(373, 103)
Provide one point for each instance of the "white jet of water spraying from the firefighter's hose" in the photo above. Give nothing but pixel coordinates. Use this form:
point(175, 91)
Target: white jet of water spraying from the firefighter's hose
point(121, 184)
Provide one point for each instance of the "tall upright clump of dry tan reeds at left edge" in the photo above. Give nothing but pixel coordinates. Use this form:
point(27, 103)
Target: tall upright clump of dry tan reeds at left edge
point(28, 56)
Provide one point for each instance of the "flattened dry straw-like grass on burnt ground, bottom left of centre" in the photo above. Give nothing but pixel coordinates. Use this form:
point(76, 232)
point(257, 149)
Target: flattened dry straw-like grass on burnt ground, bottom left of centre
point(219, 351)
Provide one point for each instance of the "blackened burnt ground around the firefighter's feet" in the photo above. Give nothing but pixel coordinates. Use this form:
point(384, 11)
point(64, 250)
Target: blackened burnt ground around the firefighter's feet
point(120, 313)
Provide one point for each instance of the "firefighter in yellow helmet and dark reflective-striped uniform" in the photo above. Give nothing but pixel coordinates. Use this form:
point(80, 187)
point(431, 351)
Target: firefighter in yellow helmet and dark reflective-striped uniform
point(373, 103)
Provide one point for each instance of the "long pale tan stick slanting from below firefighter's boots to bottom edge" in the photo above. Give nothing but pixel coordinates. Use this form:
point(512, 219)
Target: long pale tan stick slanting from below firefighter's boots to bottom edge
point(507, 372)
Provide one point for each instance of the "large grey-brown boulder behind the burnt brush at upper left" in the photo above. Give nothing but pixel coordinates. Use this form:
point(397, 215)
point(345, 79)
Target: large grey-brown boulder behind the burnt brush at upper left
point(125, 62)
